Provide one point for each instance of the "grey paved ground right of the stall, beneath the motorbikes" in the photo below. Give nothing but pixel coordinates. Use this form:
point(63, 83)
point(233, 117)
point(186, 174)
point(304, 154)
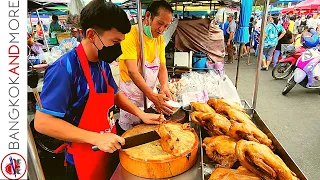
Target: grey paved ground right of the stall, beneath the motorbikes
point(294, 119)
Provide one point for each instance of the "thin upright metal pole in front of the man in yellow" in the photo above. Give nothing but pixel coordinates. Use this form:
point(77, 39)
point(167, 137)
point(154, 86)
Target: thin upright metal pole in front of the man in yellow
point(140, 25)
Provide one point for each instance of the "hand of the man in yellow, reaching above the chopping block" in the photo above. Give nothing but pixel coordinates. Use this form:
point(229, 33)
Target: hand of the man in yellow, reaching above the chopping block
point(159, 101)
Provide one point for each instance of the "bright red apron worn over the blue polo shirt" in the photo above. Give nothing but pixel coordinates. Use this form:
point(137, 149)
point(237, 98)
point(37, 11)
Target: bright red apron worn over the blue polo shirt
point(91, 165)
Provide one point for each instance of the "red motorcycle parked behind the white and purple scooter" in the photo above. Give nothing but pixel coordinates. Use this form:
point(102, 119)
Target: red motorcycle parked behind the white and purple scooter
point(286, 66)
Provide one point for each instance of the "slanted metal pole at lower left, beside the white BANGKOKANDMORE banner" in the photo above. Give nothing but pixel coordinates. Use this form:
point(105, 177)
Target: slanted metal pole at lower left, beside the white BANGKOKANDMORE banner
point(35, 171)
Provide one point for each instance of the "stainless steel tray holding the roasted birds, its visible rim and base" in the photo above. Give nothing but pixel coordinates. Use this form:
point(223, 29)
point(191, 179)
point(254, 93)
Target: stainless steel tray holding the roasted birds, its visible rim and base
point(208, 165)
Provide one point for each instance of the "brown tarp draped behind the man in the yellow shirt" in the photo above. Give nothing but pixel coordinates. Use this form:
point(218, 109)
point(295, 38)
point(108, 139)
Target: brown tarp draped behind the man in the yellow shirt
point(200, 35)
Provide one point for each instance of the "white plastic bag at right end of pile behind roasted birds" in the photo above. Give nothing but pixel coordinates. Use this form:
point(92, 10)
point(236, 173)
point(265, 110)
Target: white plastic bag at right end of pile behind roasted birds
point(227, 90)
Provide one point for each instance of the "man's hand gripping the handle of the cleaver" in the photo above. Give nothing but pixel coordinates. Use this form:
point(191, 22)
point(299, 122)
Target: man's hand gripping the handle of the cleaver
point(108, 142)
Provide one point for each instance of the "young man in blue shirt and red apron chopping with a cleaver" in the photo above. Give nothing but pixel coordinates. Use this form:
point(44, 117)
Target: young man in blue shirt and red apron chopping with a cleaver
point(79, 93)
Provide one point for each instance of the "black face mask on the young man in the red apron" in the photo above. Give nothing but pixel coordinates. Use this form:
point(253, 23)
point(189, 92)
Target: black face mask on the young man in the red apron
point(110, 53)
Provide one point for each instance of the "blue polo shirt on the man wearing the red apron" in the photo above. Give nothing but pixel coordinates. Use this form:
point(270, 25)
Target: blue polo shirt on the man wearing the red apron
point(65, 88)
